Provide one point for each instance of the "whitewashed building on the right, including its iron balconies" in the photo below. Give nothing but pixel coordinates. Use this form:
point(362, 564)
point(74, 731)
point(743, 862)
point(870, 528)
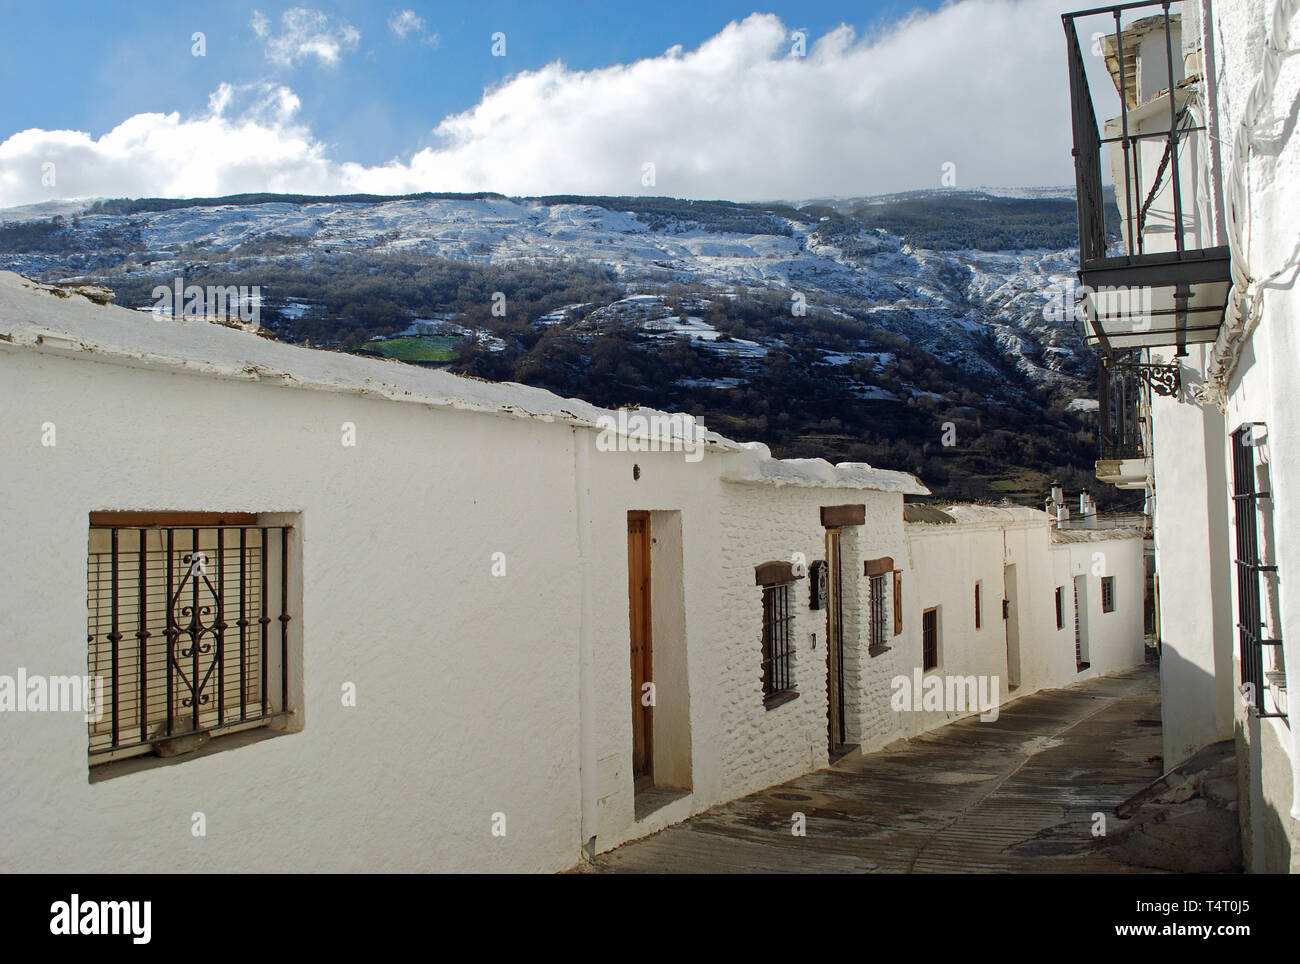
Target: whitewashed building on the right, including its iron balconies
point(1194, 315)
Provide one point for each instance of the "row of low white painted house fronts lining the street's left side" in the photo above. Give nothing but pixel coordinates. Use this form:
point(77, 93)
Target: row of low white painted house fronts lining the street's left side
point(482, 697)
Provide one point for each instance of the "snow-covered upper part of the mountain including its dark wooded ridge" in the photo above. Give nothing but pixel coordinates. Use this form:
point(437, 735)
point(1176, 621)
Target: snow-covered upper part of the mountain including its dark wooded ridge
point(977, 310)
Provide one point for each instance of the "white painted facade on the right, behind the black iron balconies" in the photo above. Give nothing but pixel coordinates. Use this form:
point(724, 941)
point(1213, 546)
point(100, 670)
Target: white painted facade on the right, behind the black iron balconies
point(1245, 177)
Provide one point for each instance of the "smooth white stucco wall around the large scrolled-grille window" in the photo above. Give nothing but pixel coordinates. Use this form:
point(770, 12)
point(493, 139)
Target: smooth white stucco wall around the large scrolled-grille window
point(450, 724)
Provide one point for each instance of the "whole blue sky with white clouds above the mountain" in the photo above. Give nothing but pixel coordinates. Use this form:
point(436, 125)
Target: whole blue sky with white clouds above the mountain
point(694, 99)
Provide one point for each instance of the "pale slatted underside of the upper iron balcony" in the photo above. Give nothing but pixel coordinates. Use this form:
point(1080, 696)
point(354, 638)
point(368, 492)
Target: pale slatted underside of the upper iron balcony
point(1155, 301)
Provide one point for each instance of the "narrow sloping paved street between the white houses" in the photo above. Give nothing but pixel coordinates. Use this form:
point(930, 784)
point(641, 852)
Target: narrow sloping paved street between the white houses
point(1017, 796)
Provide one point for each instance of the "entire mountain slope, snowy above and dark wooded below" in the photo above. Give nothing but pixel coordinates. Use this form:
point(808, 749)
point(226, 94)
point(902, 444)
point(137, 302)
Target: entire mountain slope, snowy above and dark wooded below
point(855, 329)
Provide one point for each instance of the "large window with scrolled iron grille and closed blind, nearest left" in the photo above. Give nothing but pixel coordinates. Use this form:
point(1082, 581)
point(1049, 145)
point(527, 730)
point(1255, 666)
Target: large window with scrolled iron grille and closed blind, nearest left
point(188, 627)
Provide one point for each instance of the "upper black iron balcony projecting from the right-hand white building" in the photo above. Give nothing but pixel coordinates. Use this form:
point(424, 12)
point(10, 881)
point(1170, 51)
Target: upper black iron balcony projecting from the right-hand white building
point(1163, 284)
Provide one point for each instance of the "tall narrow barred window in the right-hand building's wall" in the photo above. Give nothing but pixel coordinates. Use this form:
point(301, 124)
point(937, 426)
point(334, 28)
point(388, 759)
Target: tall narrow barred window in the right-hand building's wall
point(1250, 570)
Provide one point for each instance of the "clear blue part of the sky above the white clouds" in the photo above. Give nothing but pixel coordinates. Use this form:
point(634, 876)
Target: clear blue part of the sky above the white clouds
point(84, 70)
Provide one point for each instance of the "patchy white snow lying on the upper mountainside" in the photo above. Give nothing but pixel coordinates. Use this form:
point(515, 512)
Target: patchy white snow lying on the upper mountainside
point(964, 306)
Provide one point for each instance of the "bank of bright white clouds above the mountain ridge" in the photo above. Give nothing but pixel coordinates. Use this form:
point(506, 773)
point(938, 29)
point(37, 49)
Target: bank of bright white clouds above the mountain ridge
point(980, 84)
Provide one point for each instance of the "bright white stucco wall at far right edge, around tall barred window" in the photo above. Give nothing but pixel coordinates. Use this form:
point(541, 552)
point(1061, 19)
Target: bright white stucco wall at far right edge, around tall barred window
point(1266, 383)
